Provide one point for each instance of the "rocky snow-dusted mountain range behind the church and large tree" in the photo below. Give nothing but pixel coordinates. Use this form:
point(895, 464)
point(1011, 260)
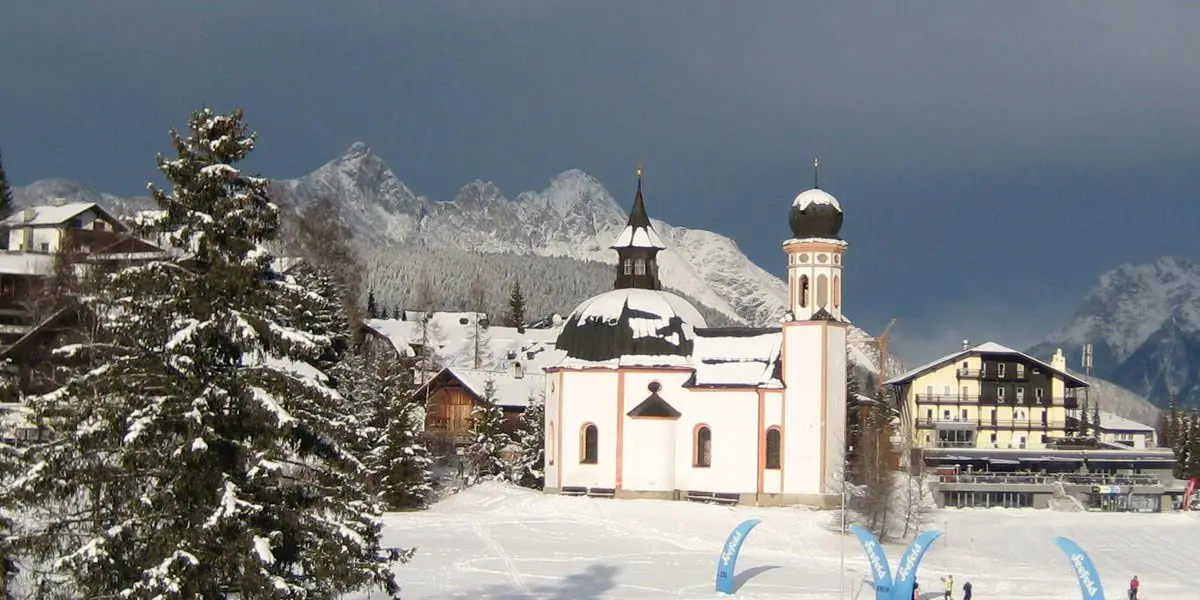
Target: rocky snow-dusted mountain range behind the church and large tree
point(574, 218)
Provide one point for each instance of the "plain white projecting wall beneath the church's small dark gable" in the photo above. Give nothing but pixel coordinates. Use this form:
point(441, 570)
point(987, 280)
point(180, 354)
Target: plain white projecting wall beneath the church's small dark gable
point(650, 455)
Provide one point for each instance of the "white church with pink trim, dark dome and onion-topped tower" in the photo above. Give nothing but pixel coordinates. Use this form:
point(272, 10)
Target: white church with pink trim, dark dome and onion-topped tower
point(650, 403)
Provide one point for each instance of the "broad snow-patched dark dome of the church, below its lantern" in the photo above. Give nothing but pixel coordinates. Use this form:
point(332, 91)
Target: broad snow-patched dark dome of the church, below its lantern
point(631, 322)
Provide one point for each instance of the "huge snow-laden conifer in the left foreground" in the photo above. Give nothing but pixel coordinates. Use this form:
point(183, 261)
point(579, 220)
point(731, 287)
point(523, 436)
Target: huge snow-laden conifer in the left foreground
point(194, 458)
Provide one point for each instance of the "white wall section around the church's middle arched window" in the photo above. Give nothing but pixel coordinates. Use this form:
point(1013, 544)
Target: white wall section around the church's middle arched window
point(733, 418)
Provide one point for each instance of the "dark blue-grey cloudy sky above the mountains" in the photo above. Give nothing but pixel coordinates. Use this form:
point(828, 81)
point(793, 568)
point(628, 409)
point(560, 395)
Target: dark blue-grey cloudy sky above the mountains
point(993, 158)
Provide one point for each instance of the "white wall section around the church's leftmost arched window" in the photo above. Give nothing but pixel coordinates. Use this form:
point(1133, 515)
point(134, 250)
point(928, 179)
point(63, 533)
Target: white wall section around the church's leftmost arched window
point(589, 398)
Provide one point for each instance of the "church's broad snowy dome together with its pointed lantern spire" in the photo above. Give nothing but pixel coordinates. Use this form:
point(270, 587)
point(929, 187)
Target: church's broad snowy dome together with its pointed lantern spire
point(637, 323)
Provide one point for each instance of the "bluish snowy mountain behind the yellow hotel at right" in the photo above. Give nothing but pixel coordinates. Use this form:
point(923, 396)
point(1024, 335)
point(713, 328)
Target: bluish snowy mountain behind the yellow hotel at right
point(1144, 326)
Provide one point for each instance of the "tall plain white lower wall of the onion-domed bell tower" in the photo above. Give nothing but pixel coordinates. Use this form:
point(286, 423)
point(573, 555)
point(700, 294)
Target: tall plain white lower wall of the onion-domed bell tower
point(802, 427)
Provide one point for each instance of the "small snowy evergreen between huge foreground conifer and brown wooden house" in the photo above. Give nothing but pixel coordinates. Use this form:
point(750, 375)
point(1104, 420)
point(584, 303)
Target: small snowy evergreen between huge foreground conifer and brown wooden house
point(380, 393)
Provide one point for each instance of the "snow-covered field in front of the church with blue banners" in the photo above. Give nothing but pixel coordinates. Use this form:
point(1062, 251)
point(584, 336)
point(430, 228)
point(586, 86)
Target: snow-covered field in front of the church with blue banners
point(502, 543)
